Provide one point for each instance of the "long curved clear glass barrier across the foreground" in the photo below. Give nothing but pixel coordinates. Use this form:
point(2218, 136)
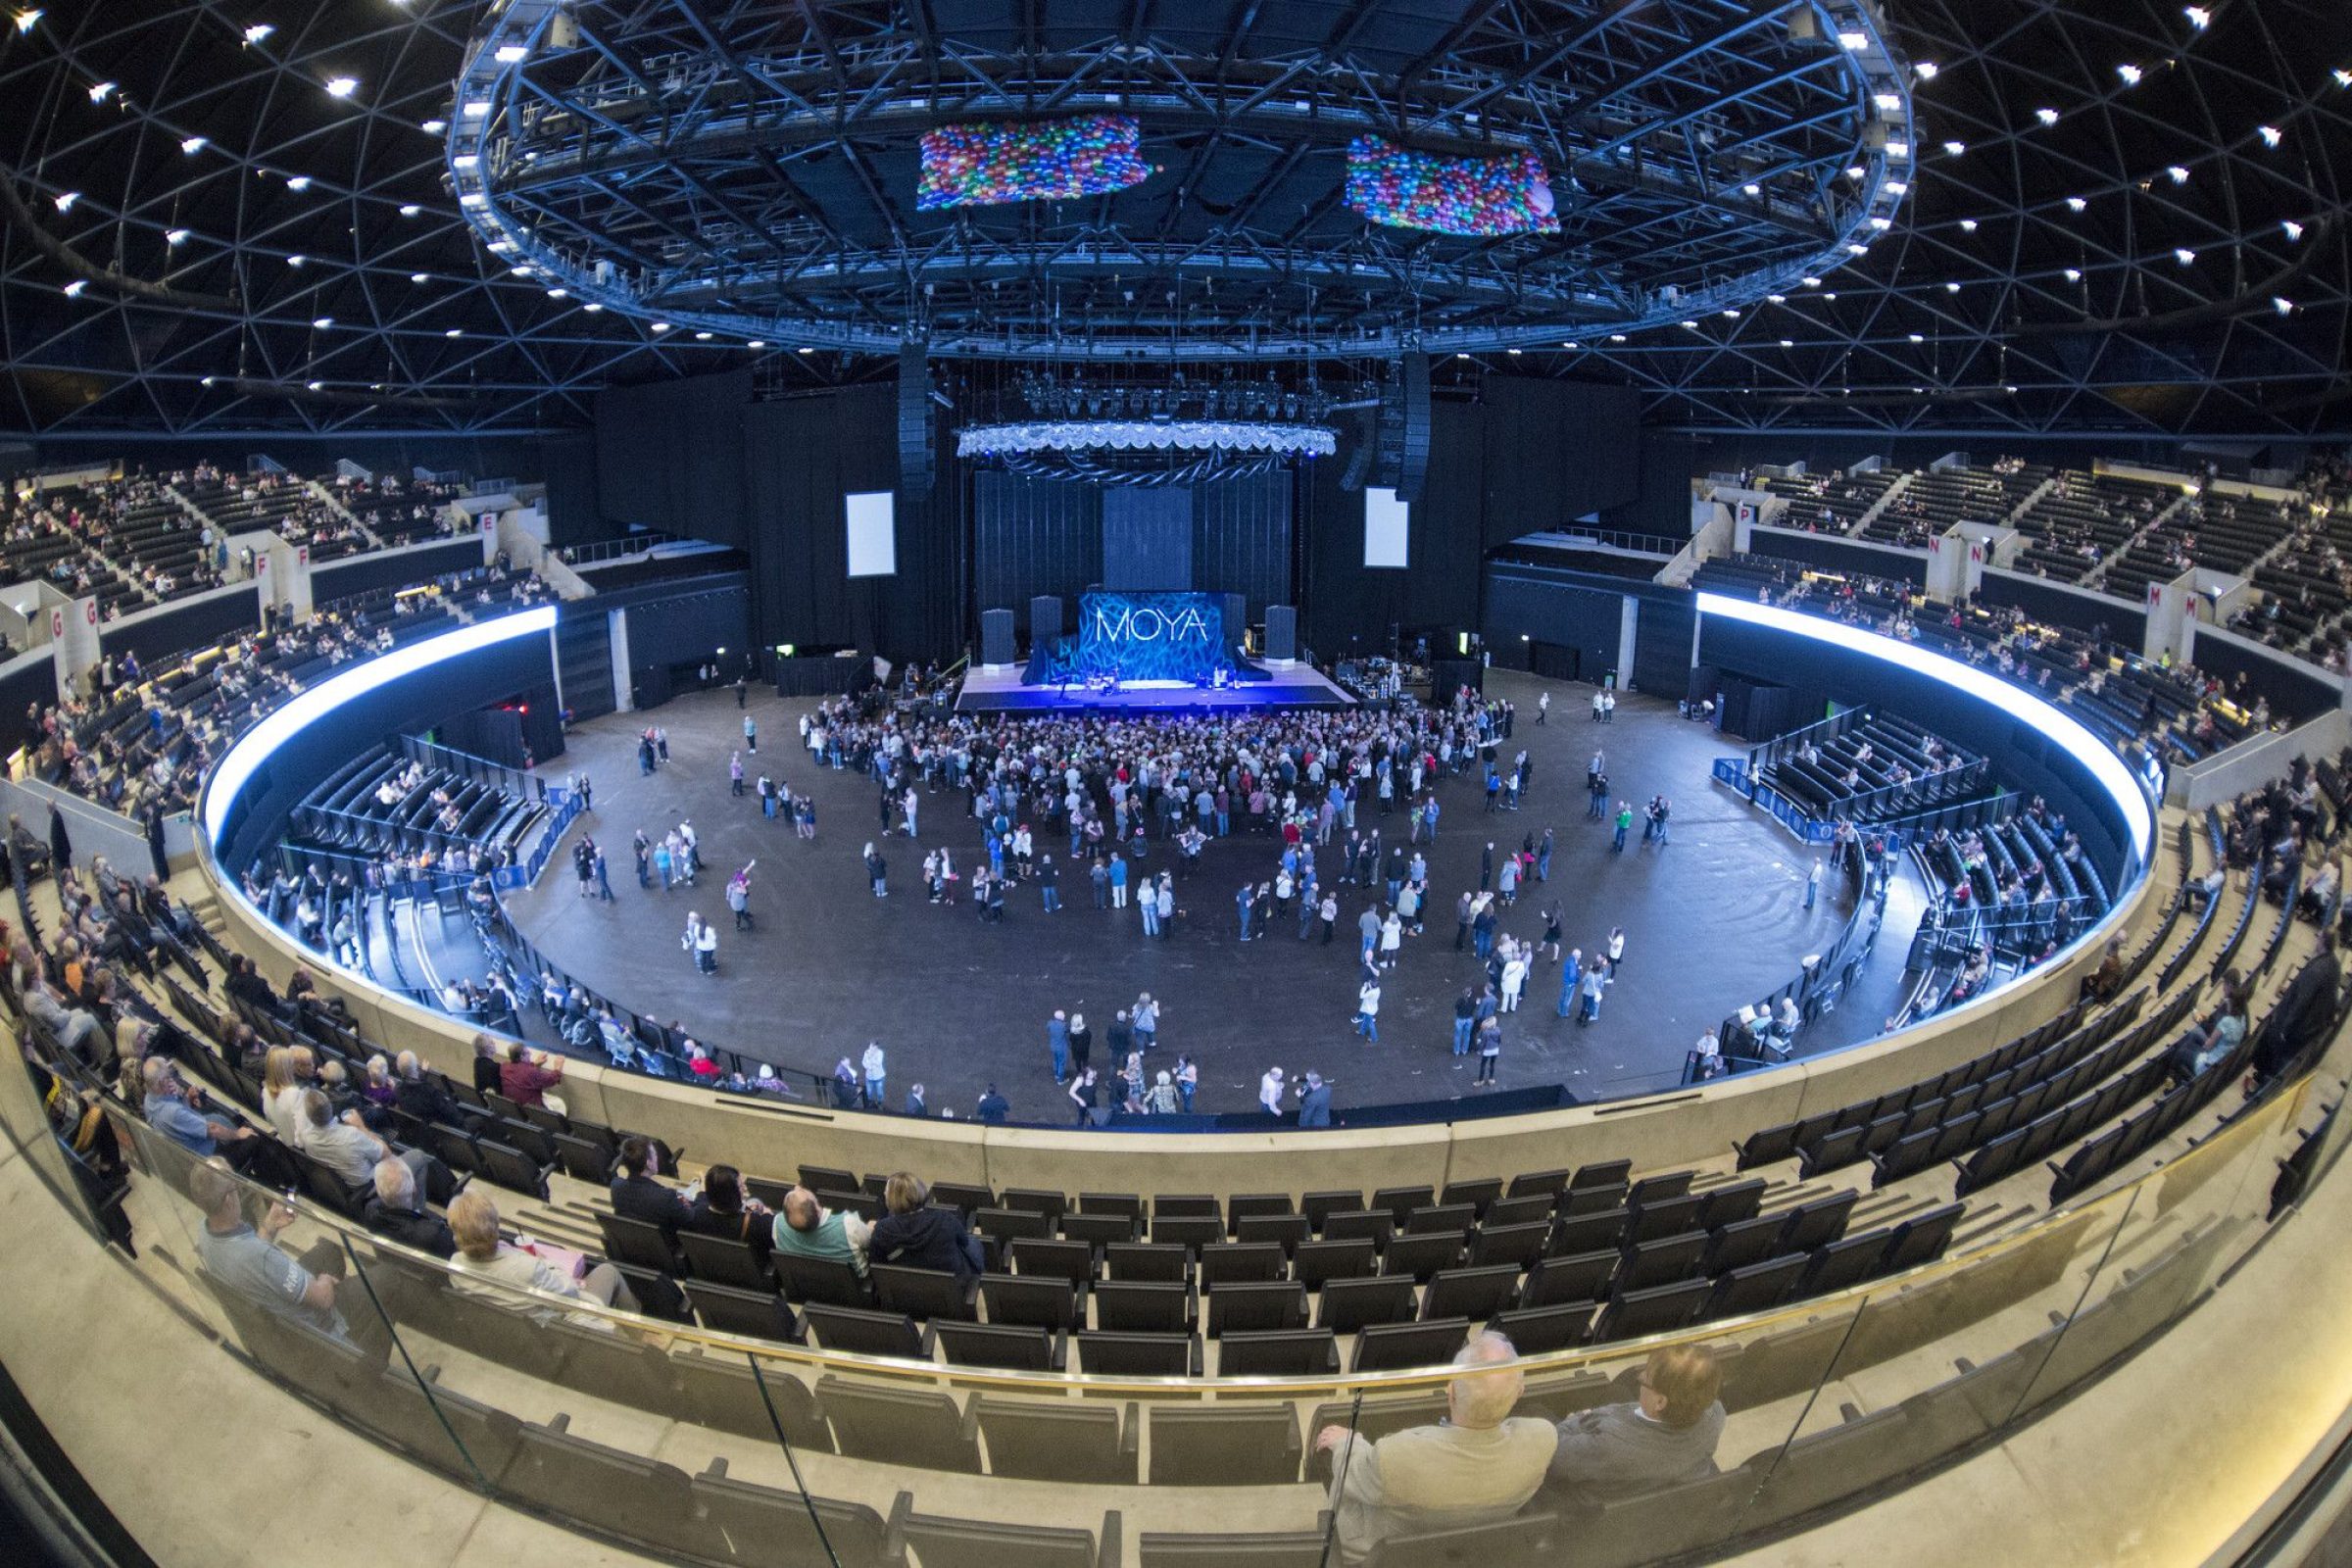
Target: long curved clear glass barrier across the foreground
point(1057, 1412)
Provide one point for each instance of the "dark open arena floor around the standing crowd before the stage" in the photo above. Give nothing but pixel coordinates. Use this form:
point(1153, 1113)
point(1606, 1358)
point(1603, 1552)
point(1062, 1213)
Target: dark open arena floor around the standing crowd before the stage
point(1711, 920)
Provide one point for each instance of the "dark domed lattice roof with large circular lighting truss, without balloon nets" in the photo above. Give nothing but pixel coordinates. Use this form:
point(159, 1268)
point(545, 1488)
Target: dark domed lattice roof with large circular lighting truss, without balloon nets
point(1975, 217)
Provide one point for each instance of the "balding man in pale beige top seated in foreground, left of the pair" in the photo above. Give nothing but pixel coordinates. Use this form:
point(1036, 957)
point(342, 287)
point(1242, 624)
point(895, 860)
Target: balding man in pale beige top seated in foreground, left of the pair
point(1478, 1466)
